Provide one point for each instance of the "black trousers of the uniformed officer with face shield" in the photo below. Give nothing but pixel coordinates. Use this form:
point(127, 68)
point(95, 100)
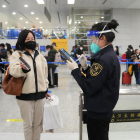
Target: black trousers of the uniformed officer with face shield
point(98, 128)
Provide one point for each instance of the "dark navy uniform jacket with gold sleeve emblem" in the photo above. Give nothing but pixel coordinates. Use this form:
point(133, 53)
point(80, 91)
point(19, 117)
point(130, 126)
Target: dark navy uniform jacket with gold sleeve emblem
point(101, 84)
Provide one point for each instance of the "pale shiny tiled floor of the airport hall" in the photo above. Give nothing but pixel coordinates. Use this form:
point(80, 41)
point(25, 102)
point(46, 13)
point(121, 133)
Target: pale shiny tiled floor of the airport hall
point(68, 93)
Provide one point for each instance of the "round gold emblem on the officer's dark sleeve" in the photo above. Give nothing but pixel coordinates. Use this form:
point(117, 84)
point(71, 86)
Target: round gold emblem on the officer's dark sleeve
point(95, 69)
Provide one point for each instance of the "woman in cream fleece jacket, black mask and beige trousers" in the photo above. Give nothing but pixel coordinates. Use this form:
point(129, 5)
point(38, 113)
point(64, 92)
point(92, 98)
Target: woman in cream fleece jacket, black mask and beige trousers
point(35, 88)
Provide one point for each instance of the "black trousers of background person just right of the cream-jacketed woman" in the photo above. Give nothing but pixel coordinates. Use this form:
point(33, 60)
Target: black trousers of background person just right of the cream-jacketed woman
point(51, 76)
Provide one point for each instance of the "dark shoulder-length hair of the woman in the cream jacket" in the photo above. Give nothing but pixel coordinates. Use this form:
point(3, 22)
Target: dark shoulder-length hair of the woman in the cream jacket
point(21, 40)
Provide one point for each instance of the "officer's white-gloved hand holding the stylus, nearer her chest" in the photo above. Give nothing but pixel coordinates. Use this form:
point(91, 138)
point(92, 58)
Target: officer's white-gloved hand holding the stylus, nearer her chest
point(83, 61)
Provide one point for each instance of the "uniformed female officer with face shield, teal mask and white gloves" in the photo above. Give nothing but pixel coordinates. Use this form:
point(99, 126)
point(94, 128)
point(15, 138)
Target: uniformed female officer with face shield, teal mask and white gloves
point(102, 80)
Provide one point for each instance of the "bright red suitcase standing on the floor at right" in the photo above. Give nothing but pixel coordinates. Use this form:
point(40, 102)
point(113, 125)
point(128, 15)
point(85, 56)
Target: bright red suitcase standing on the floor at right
point(126, 78)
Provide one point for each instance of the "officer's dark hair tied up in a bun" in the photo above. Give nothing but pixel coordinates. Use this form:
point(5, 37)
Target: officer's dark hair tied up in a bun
point(111, 25)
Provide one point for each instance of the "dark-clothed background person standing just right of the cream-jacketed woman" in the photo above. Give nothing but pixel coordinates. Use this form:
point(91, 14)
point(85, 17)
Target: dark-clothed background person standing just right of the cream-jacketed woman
point(51, 67)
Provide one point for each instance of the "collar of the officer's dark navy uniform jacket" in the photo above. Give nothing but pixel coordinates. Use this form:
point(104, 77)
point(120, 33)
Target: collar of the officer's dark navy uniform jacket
point(101, 52)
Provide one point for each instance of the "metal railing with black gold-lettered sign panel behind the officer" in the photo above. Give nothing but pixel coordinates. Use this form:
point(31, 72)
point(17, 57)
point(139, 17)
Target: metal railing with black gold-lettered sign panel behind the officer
point(118, 116)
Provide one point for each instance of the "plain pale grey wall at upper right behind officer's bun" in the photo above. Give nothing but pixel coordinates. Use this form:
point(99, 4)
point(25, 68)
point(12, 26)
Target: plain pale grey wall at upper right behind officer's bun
point(129, 28)
